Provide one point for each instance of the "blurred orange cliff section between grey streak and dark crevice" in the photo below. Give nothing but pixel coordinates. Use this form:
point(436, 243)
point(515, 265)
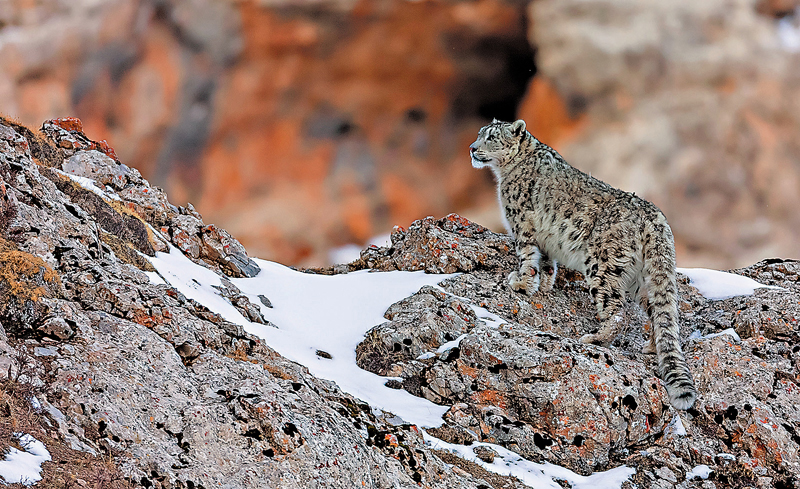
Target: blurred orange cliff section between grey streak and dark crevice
point(334, 130)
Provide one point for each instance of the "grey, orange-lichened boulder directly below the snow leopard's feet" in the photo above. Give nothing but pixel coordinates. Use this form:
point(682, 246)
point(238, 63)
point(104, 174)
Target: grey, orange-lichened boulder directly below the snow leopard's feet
point(551, 397)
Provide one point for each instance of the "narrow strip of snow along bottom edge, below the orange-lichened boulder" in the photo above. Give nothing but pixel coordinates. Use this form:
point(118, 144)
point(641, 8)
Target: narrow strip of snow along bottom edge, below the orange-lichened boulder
point(530, 473)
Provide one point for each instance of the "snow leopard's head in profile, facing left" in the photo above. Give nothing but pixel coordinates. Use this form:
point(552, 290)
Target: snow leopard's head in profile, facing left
point(496, 143)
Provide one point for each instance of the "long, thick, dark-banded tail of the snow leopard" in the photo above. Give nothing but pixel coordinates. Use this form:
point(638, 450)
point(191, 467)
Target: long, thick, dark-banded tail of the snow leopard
point(662, 307)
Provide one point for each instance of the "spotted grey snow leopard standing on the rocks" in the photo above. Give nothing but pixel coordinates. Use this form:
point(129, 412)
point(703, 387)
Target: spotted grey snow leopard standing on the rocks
point(621, 243)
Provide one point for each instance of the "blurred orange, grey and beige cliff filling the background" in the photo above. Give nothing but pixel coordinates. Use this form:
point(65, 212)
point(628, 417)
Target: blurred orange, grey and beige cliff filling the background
point(302, 126)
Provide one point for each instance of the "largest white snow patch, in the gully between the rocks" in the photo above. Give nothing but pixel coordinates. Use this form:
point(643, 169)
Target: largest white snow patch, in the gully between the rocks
point(316, 312)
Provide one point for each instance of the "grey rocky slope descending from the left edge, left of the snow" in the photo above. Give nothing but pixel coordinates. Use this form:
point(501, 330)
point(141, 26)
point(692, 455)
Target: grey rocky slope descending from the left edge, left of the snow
point(121, 367)
